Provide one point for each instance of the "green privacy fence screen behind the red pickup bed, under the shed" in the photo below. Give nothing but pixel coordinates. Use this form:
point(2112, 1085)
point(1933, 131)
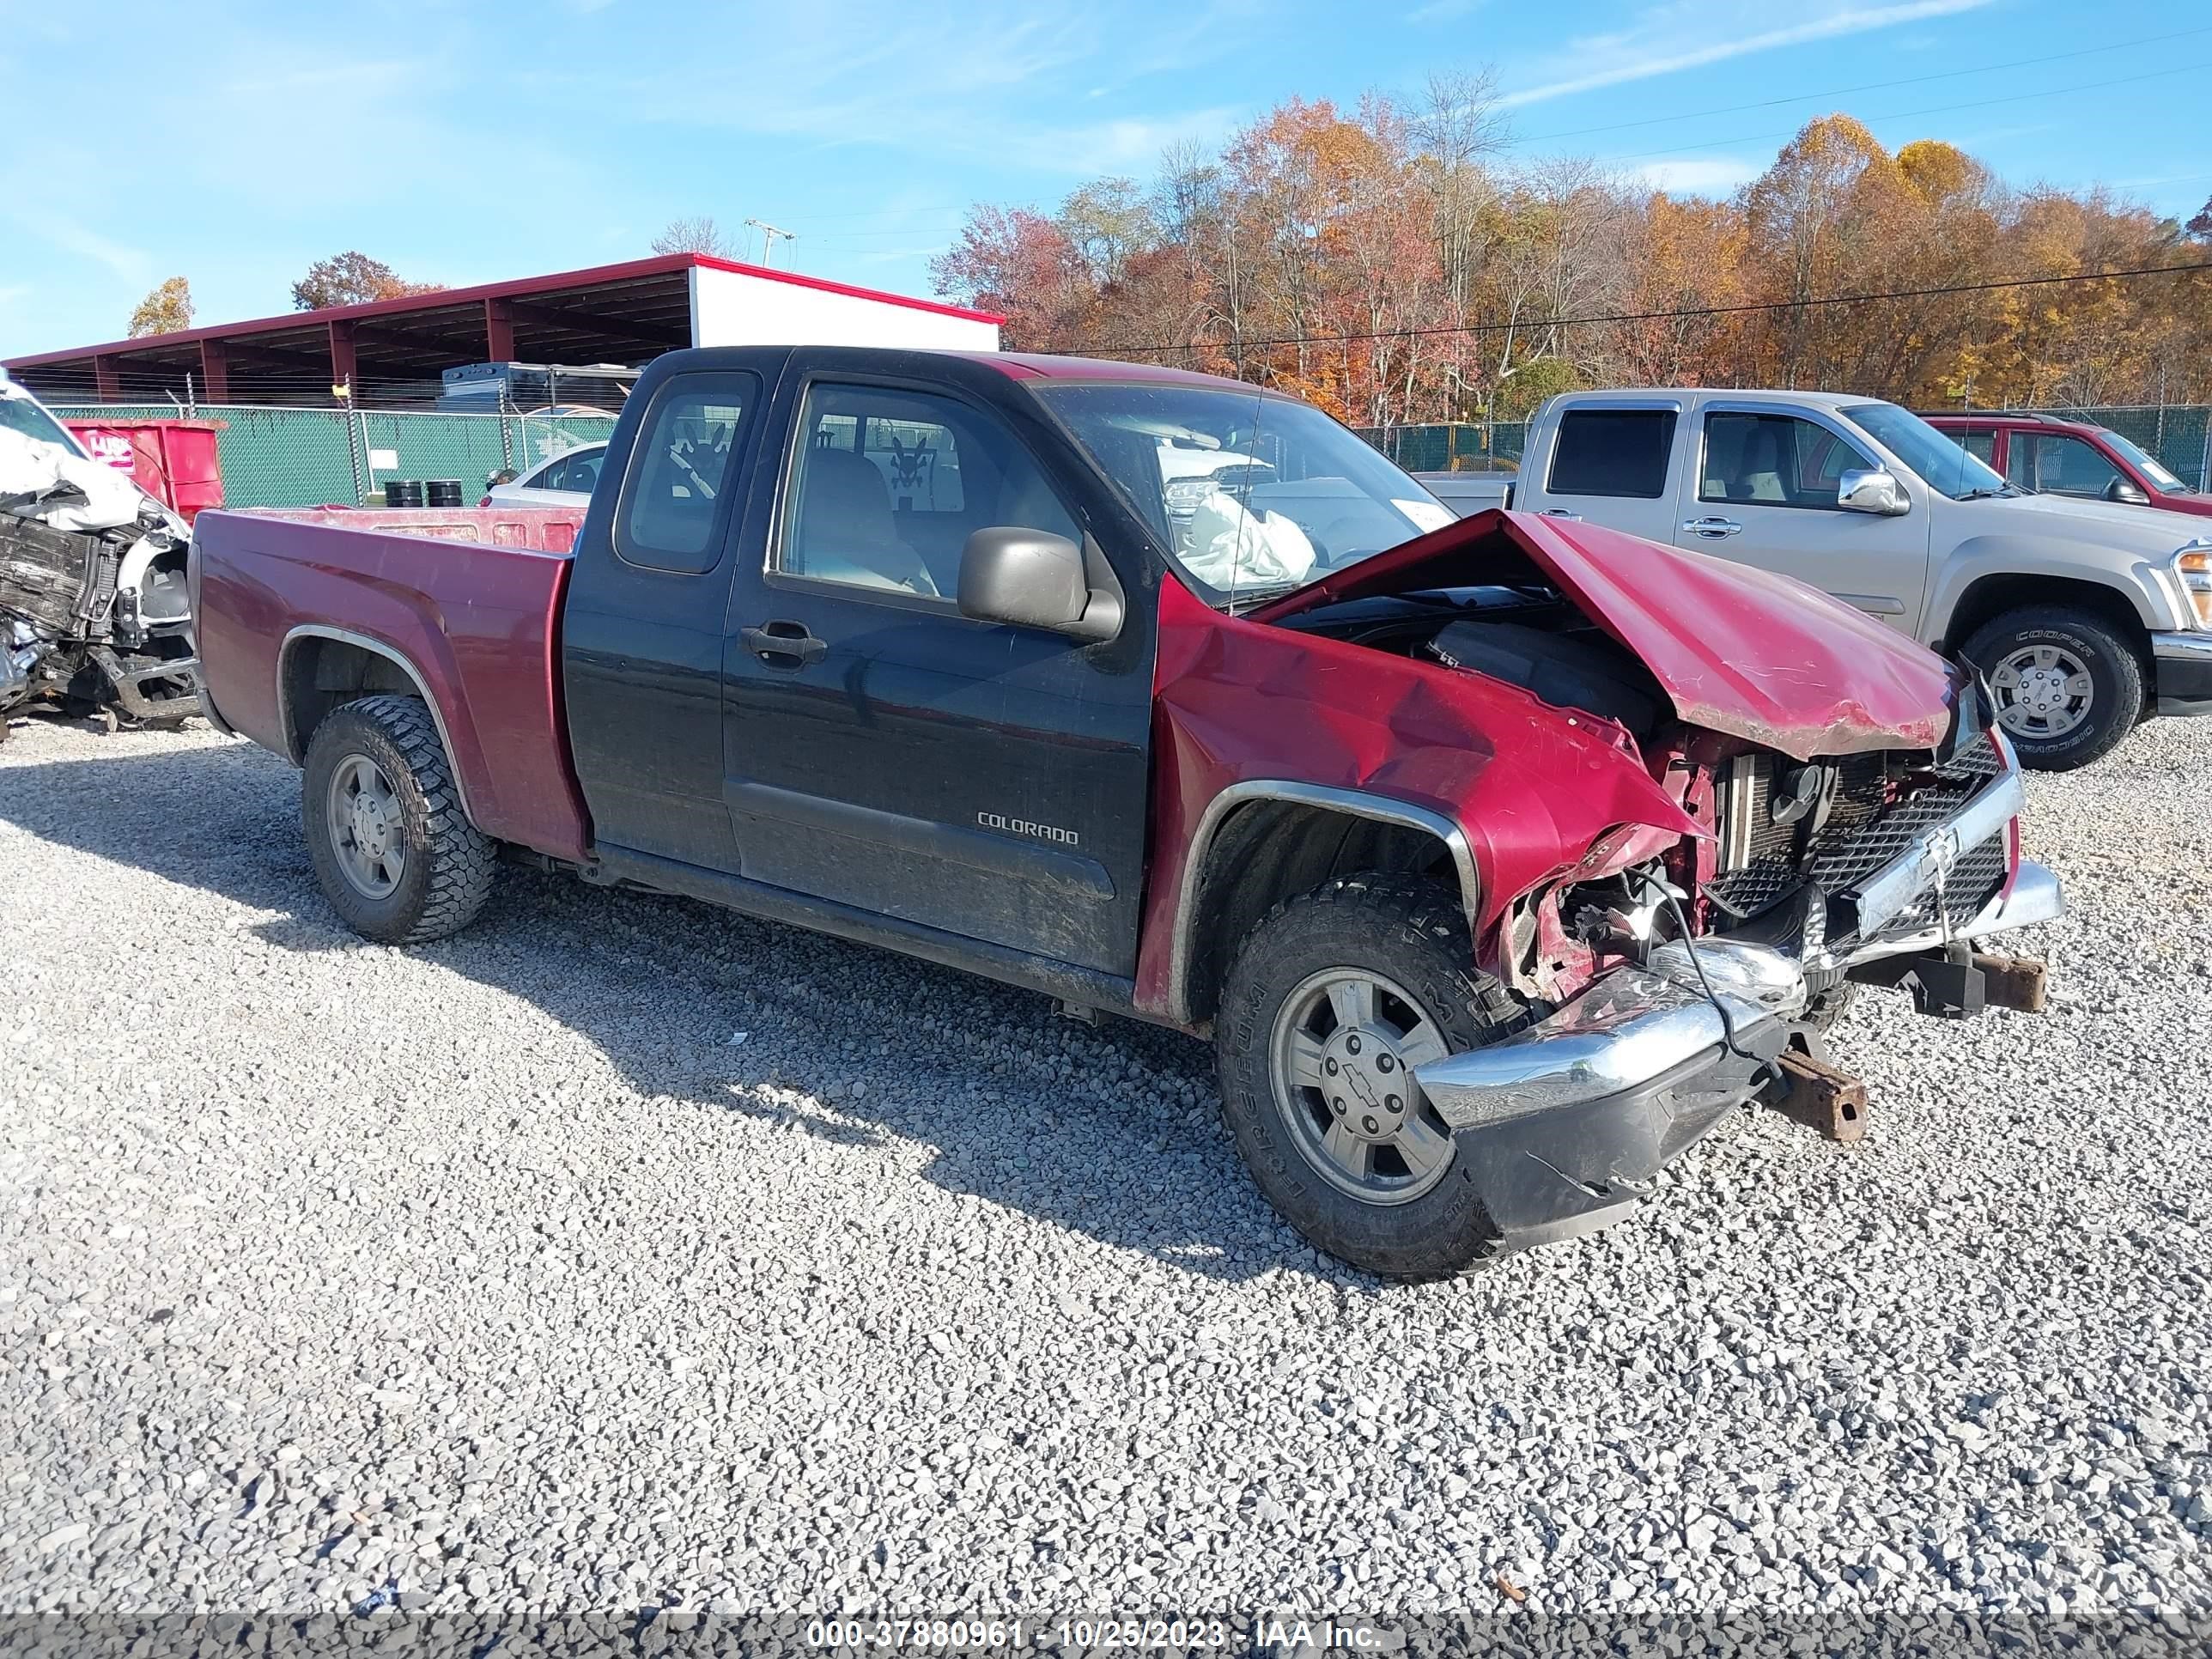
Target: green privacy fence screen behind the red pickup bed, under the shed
point(317, 457)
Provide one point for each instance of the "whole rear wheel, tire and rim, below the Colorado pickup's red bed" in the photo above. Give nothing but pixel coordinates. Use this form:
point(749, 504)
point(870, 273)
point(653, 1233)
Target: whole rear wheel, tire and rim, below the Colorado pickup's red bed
point(390, 844)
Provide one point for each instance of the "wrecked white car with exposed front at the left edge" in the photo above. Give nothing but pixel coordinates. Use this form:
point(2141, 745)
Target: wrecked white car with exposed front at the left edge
point(94, 609)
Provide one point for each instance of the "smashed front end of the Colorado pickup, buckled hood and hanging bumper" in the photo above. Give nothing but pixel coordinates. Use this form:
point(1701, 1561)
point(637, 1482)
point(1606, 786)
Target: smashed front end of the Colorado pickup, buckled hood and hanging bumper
point(1828, 804)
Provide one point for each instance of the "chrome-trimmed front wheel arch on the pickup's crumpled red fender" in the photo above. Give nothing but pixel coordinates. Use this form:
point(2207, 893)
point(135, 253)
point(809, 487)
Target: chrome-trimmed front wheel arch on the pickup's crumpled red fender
point(1269, 839)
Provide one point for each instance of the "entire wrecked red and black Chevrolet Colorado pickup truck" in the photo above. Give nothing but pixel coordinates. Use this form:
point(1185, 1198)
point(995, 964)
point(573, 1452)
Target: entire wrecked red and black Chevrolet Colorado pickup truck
point(1167, 696)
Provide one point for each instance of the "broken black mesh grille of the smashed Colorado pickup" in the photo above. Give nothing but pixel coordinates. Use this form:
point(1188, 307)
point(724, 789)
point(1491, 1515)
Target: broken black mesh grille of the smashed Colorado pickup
point(1877, 806)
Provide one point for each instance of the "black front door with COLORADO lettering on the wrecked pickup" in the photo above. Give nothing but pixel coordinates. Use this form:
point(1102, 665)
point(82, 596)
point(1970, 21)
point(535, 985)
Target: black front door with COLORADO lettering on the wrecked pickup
point(879, 749)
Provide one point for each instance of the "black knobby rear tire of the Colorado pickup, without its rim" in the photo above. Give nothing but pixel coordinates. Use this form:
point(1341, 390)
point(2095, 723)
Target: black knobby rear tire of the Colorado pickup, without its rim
point(450, 862)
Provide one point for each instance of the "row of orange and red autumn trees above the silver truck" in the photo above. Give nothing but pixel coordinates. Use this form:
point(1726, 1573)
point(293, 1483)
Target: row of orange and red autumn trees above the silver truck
point(1392, 264)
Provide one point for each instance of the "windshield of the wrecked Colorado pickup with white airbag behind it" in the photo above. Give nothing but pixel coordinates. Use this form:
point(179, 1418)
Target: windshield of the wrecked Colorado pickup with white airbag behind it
point(1251, 494)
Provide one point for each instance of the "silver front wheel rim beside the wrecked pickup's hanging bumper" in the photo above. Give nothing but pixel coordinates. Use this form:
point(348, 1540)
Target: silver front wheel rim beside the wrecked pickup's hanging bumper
point(1342, 1063)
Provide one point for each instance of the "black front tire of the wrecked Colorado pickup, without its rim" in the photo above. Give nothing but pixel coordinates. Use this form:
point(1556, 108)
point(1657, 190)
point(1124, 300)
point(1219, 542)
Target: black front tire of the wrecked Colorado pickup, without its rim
point(1412, 932)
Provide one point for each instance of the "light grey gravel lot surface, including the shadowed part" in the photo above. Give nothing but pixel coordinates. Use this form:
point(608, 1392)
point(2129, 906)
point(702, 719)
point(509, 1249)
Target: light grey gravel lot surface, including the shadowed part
point(499, 1275)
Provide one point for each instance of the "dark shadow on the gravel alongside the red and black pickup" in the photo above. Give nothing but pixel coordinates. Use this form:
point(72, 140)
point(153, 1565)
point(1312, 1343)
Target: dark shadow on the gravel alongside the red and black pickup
point(1112, 1131)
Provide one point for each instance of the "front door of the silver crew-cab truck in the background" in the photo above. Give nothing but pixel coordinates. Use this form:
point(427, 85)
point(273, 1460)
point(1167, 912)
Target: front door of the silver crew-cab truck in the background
point(1766, 494)
